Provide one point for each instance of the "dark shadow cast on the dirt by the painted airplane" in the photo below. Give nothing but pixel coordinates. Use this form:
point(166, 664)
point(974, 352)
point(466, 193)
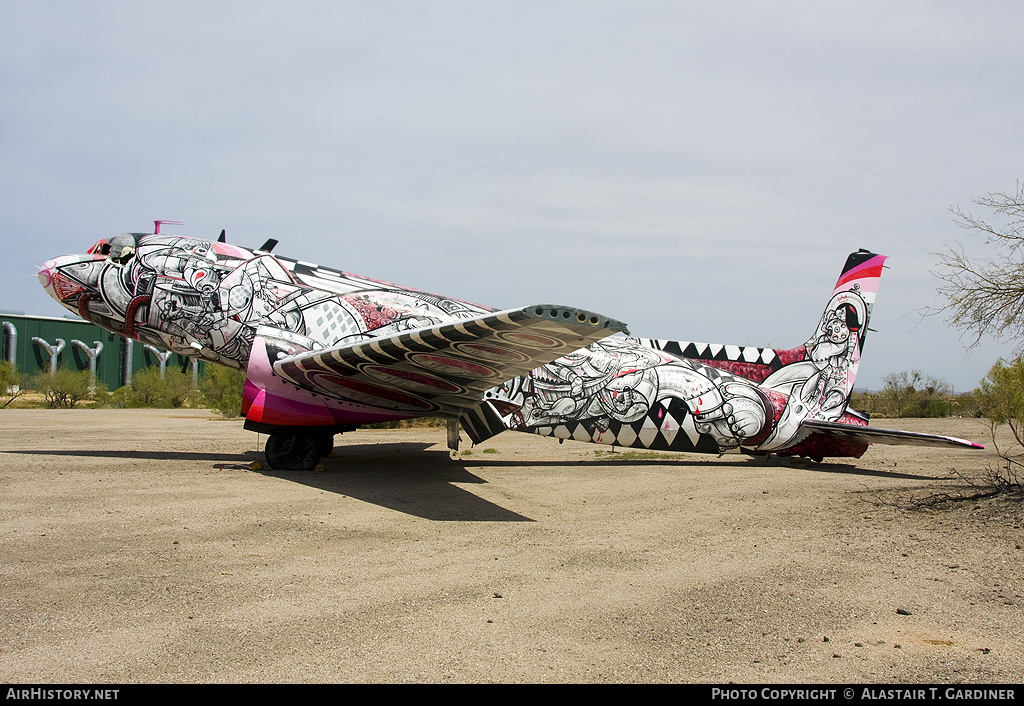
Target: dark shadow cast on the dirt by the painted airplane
point(421, 480)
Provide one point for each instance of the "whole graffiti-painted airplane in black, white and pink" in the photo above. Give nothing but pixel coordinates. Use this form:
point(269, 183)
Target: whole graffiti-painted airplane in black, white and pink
point(326, 352)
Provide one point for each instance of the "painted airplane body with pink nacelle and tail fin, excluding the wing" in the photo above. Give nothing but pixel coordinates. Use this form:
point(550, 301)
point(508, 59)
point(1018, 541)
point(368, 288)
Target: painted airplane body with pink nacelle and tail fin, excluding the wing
point(220, 303)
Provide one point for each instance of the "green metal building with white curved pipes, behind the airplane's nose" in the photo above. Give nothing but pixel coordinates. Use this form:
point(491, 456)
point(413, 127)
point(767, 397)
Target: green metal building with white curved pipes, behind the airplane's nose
point(42, 344)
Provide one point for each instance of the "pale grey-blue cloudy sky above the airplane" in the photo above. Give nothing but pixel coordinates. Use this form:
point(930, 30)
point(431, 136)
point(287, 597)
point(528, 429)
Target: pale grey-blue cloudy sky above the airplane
point(698, 171)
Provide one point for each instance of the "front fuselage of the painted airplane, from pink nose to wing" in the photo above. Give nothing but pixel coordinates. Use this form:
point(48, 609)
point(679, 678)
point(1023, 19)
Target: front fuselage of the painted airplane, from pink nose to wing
point(206, 300)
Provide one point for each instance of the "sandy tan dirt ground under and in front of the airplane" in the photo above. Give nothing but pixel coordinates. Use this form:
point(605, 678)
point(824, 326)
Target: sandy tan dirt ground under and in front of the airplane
point(143, 547)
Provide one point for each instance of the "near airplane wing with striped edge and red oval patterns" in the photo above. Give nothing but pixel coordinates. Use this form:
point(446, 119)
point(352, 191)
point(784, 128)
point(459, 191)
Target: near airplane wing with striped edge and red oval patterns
point(444, 370)
